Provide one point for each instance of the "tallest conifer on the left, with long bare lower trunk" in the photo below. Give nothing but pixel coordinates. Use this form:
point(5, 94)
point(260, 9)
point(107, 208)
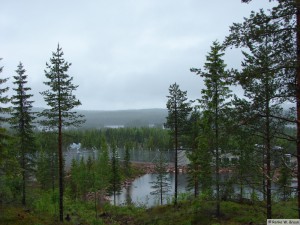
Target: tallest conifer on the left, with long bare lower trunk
point(61, 100)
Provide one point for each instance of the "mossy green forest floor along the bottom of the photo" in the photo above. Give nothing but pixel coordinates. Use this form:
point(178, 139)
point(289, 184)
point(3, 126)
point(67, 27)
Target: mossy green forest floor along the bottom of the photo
point(186, 212)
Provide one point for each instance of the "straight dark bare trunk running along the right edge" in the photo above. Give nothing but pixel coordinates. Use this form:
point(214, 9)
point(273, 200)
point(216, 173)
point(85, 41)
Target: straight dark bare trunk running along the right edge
point(298, 102)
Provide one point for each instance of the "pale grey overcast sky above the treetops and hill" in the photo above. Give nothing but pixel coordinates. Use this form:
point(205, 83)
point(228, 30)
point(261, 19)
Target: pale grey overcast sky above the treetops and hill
point(124, 53)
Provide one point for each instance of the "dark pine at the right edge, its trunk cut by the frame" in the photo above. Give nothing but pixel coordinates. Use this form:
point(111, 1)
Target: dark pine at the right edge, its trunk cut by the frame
point(285, 15)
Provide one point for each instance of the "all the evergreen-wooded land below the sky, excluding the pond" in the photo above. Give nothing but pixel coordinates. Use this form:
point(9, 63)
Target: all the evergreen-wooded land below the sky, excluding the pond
point(254, 138)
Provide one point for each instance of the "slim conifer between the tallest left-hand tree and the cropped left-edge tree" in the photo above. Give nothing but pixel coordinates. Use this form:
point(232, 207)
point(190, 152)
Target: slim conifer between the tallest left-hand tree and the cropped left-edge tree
point(22, 122)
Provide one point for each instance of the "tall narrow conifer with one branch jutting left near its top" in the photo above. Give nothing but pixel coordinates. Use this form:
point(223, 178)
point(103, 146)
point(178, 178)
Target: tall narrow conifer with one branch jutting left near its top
point(214, 103)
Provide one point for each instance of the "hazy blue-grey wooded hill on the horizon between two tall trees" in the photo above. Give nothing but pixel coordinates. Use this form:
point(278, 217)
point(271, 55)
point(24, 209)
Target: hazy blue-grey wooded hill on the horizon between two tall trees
point(124, 118)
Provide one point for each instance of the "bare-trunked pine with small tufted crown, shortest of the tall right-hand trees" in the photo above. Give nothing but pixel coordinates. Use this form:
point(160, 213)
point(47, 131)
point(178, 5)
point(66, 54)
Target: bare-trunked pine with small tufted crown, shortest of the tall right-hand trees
point(178, 111)
